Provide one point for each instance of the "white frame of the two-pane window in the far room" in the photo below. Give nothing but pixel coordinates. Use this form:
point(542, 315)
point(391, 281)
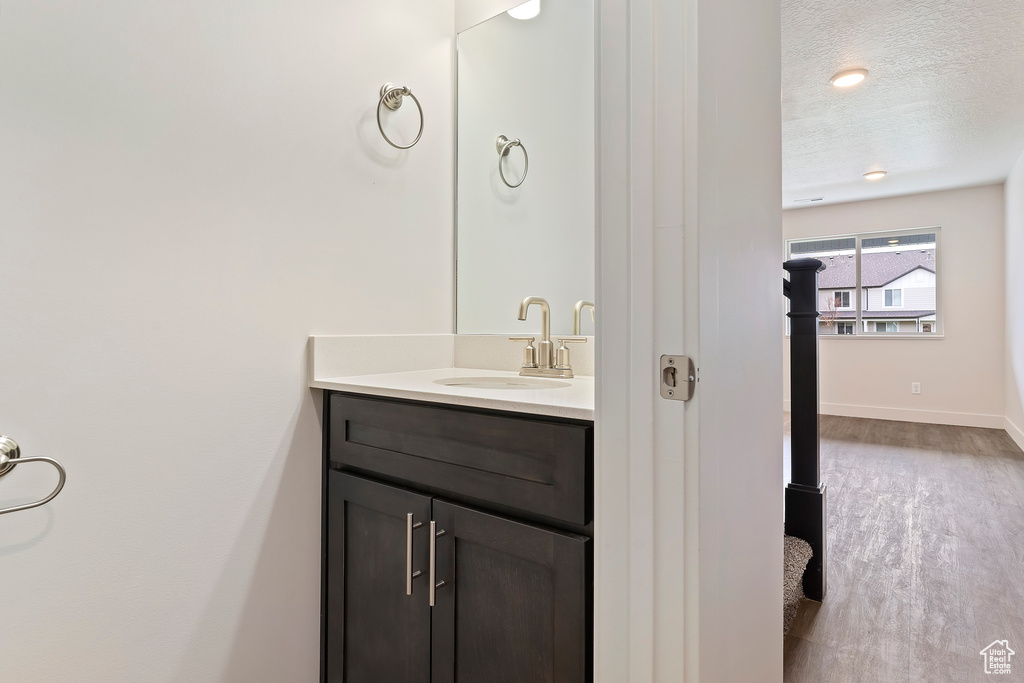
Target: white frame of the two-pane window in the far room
point(861, 293)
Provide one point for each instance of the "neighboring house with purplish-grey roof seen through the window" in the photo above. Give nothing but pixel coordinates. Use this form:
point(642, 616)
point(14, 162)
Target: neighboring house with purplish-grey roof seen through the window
point(898, 295)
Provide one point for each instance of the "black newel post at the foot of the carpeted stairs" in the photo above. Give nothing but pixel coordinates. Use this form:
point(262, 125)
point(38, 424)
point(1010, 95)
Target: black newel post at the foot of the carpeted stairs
point(805, 495)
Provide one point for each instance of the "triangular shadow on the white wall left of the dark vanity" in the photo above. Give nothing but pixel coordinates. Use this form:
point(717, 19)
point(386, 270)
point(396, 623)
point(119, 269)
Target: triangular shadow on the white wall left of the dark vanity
point(258, 575)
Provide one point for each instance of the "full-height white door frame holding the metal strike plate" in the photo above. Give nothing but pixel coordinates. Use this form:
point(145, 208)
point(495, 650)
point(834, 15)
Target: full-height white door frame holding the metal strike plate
point(689, 103)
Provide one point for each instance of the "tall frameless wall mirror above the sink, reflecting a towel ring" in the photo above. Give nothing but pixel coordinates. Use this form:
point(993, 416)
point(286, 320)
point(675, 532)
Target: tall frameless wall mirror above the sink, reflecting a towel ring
point(530, 80)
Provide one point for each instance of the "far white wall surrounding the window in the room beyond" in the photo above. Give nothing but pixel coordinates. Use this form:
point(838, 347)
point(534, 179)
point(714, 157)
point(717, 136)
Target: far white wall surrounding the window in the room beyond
point(962, 375)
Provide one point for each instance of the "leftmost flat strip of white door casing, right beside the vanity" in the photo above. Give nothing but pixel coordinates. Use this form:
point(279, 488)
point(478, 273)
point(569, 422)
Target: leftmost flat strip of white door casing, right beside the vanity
point(612, 467)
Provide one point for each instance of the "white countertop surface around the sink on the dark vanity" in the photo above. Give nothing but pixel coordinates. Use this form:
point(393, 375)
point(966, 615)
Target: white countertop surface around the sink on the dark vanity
point(576, 401)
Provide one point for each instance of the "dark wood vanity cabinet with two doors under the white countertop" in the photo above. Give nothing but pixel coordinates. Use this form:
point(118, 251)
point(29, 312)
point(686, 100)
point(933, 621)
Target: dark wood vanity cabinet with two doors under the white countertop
point(514, 596)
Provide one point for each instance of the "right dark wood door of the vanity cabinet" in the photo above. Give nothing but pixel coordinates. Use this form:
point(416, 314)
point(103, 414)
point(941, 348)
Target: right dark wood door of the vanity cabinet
point(514, 608)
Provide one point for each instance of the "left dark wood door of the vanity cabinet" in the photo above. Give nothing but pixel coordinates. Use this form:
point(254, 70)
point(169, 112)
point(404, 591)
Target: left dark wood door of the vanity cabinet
point(375, 631)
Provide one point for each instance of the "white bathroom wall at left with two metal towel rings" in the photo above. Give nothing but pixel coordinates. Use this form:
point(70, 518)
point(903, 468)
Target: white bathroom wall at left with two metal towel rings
point(188, 191)
